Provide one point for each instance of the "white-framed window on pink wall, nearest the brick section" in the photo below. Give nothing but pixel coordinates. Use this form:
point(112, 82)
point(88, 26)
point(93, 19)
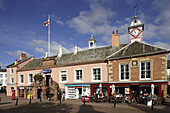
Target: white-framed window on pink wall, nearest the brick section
point(96, 74)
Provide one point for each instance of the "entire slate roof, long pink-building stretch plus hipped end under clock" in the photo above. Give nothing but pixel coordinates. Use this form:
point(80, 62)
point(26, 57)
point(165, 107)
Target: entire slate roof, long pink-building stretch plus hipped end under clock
point(97, 55)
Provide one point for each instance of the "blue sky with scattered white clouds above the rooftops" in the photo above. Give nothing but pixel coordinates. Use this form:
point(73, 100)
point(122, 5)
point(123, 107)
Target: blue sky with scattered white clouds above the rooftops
point(73, 22)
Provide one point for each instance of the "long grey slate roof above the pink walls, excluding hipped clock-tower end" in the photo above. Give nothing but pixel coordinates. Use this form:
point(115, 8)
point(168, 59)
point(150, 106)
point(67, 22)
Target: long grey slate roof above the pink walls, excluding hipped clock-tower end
point(82, 57)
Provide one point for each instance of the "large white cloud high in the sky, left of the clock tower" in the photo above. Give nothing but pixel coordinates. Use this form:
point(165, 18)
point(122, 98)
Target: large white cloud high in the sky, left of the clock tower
point(95, 21)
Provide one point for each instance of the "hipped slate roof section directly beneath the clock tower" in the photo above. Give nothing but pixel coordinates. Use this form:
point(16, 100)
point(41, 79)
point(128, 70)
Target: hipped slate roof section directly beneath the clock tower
point(136, 49)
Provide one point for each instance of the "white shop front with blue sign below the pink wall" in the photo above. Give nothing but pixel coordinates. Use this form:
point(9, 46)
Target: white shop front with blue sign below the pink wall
point(76, 91)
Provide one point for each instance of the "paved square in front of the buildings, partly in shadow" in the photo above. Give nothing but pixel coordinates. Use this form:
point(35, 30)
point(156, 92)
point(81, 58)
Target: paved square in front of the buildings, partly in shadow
point(7, 105)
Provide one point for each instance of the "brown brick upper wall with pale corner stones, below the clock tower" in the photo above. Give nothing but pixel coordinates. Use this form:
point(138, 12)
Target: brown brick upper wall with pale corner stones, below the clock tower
point(158, 68)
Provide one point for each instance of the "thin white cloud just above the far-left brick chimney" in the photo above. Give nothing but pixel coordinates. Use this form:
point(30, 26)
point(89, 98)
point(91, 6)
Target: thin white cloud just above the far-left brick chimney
point(17, 53)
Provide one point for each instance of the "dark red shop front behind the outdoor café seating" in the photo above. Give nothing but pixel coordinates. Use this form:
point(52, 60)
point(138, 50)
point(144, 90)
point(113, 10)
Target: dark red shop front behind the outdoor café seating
point(131, 90)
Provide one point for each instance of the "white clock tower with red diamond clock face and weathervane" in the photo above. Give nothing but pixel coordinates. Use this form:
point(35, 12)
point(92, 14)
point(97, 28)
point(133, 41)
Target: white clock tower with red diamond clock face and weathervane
point(135, 30)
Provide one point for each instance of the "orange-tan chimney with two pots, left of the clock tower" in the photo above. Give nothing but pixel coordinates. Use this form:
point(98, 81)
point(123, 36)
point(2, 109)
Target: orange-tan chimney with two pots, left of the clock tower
point(115, 39)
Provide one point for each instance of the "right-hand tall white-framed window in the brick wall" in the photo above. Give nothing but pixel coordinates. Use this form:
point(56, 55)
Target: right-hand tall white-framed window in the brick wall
point(146, 70)
